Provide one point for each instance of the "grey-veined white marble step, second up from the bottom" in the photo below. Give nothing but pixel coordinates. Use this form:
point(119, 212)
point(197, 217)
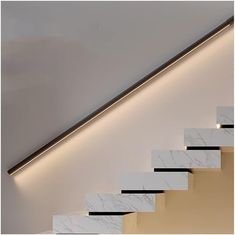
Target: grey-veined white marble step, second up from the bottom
point(120, 202)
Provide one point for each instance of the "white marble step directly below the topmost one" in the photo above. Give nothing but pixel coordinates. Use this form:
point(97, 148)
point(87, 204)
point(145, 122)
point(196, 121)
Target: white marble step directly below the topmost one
point(222, 137)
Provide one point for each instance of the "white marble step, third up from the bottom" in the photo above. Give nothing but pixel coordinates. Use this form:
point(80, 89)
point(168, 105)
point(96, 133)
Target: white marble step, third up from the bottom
point(155, 181)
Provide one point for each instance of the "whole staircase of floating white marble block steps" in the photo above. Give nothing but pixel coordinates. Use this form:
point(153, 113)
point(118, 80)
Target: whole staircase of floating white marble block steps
point(145, 191)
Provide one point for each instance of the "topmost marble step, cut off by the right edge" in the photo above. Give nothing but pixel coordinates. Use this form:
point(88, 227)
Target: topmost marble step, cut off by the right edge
point(225, 115)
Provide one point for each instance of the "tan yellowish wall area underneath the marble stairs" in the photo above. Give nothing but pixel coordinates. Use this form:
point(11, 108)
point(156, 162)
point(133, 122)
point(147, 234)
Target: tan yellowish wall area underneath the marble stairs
point(206, 208)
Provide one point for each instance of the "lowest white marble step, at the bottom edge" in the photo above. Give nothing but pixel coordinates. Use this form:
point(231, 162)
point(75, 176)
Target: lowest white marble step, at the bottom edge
point(87, 224)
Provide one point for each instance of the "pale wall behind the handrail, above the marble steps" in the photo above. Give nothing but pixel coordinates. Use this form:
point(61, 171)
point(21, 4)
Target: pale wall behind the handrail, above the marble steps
point(62, 61)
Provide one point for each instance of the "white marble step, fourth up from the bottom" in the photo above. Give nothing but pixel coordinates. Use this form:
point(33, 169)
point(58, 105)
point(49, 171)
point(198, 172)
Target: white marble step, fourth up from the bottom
point(186, 159)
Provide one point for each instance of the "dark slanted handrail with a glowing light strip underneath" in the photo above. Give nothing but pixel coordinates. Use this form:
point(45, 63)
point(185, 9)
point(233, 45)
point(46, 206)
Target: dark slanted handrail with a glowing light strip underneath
point(121, 96)
